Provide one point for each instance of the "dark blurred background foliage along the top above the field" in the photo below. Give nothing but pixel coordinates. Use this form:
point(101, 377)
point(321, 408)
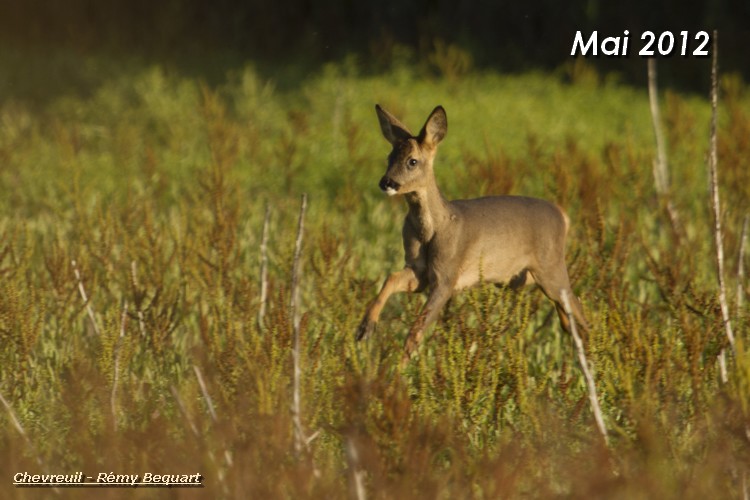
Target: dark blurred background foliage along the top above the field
point(503, 35)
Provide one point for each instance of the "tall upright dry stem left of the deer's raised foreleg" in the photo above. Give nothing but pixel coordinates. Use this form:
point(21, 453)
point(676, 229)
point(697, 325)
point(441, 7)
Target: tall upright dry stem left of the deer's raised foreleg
point(299, 435)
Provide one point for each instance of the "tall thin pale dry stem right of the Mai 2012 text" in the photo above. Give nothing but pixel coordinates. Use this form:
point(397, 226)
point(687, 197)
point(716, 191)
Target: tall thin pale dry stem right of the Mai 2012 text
point(715, 201)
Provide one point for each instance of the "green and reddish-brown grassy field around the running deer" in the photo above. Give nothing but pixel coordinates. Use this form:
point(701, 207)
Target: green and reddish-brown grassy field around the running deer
point(144, 188)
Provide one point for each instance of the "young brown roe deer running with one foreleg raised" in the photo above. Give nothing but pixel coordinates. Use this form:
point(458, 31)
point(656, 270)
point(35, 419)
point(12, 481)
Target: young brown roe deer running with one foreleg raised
point(452, 245)
